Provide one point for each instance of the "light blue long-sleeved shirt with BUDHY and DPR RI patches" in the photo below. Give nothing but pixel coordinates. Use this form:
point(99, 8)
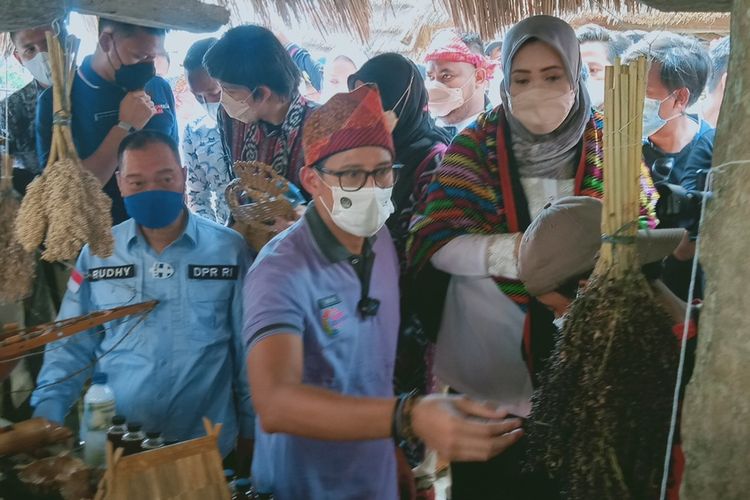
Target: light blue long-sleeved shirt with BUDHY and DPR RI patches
point(186, 359)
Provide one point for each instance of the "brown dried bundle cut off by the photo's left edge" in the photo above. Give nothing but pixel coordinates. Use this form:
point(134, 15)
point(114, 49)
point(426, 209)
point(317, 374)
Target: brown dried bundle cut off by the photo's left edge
point(16, 264)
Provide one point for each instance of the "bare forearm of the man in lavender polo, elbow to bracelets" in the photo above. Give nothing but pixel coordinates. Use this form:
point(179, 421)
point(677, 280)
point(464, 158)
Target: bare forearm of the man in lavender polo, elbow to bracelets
point(317, 413)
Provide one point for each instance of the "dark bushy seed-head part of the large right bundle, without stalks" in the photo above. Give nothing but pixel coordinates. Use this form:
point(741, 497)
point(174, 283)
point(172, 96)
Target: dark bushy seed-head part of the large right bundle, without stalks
point(600, 420)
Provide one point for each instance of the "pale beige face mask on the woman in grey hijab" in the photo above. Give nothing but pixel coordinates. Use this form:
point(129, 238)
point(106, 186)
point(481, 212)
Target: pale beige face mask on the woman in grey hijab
point(540, 112)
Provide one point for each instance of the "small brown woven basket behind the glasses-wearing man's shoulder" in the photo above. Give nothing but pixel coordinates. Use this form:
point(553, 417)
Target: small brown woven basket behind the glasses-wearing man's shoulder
point(256, 220)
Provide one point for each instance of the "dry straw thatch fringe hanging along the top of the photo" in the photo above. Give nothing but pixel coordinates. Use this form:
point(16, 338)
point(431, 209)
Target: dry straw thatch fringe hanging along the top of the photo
point(364, 18)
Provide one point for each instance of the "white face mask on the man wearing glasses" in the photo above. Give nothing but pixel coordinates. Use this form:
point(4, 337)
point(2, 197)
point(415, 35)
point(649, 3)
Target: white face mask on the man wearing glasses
point(361, 213)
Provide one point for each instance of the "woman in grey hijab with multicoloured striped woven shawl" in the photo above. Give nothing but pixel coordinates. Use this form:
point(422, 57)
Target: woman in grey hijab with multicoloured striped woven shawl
point(542, 143)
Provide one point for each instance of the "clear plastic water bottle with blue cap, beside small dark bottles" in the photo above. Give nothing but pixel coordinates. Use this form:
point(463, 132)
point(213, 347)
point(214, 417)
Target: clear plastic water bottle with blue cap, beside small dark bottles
point(98, 411)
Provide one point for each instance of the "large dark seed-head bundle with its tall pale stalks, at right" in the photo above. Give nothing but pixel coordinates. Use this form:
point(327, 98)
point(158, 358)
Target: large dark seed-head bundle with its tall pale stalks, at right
point(600, 418)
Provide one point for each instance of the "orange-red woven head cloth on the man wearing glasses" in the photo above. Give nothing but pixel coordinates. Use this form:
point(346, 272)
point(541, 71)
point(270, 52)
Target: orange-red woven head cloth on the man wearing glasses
point(347, 121)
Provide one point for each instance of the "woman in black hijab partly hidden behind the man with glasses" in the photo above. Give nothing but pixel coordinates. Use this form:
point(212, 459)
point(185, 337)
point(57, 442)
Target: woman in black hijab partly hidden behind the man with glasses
point(420, 145)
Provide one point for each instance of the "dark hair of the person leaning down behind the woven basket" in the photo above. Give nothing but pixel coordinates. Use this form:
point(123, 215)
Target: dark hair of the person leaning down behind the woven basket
point(264, 61)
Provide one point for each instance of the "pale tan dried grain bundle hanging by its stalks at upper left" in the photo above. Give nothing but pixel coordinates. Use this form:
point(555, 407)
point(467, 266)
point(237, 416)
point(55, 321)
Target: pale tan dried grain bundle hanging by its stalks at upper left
point(65, 207)
